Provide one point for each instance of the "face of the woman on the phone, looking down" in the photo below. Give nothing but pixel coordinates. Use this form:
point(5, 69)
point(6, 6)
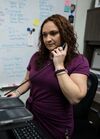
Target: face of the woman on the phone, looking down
point(51, 35)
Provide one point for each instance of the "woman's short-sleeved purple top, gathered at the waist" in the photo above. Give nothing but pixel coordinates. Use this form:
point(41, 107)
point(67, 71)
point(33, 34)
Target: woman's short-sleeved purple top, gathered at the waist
point(46, 101)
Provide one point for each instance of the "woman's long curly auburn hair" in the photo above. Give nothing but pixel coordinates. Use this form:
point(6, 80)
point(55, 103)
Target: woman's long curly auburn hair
point(67, 36)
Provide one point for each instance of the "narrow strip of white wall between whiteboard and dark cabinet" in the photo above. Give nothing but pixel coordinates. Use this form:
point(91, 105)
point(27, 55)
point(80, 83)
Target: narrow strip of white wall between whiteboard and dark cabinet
point(80, 20)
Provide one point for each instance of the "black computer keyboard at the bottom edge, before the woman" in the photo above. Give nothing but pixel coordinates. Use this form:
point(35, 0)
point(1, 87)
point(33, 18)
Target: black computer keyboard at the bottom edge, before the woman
point(30, 131)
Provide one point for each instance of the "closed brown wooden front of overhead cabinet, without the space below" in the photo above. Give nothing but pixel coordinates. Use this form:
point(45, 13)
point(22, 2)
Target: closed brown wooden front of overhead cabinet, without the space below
point(92, 32)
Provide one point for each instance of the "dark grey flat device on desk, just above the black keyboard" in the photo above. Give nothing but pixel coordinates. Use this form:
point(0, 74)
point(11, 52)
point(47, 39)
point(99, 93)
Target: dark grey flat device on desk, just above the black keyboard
point(13, 113)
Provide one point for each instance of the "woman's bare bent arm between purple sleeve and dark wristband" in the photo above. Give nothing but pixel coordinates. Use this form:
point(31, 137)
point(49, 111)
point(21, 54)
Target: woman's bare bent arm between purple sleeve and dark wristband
point(73, 90)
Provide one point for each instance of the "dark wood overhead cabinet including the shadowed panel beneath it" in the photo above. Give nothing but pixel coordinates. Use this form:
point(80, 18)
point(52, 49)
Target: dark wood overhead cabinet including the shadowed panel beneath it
point(92, 33)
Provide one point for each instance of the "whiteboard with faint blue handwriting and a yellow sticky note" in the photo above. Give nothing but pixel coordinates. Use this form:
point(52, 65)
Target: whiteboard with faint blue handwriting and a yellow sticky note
point(16, 46)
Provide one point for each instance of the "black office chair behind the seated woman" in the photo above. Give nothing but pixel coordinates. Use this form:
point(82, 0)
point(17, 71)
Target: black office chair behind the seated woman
point(83, 129)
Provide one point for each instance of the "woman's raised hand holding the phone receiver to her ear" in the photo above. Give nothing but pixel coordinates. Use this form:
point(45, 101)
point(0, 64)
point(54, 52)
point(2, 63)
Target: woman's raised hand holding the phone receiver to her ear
point(59, 55)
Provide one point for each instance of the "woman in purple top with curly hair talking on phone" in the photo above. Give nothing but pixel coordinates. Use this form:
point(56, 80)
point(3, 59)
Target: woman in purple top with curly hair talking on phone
point(58, 78)
